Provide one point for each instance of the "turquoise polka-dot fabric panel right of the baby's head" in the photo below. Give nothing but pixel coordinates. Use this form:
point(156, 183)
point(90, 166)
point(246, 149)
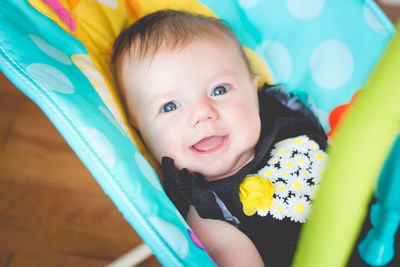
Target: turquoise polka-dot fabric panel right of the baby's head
point(321, 50)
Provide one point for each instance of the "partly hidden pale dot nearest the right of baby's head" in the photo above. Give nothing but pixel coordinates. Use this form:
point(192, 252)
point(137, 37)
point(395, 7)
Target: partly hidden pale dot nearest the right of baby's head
point(278, 57)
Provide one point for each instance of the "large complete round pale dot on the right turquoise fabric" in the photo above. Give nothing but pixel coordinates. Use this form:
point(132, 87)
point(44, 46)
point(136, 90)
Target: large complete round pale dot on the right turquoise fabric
point(331, 64)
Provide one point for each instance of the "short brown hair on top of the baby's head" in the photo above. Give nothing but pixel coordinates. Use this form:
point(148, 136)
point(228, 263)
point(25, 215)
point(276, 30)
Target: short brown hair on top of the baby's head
point(169, 29)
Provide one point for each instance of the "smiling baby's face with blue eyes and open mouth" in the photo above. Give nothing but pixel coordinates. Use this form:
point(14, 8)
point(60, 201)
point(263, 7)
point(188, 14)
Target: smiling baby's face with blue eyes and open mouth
point(197, 105)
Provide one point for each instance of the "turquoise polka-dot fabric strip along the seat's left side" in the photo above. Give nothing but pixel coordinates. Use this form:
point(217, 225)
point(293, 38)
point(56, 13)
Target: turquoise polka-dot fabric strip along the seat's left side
point(35, 54)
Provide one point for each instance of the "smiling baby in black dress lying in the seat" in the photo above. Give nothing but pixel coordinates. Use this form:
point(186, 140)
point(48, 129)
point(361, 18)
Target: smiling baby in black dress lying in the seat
point(240, 164)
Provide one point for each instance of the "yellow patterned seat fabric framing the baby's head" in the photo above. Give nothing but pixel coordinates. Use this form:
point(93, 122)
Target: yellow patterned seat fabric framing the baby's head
point(98, 23)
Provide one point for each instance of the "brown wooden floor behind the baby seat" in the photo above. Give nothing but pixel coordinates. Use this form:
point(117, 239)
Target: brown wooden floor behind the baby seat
point(52, 212)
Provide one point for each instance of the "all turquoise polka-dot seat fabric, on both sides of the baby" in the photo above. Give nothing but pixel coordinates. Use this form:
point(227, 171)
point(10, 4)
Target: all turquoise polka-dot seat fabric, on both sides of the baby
point(321, 50)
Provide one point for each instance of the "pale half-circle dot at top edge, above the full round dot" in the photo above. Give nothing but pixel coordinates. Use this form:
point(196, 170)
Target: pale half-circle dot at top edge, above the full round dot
point(305, 9)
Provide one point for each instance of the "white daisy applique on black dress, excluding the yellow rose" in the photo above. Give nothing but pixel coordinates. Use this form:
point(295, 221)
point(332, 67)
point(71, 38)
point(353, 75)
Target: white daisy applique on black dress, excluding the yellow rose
point(295, 170)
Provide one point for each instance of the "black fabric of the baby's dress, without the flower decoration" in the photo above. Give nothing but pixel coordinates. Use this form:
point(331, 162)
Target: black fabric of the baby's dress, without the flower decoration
point(282, 117)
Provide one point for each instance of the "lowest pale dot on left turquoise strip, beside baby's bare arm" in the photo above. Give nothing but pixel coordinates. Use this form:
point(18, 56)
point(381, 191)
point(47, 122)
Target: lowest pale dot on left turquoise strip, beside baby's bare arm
point(172, 235)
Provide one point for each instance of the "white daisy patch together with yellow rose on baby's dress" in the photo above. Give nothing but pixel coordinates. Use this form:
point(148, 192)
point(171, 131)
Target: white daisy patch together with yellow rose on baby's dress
point(294, 170)
